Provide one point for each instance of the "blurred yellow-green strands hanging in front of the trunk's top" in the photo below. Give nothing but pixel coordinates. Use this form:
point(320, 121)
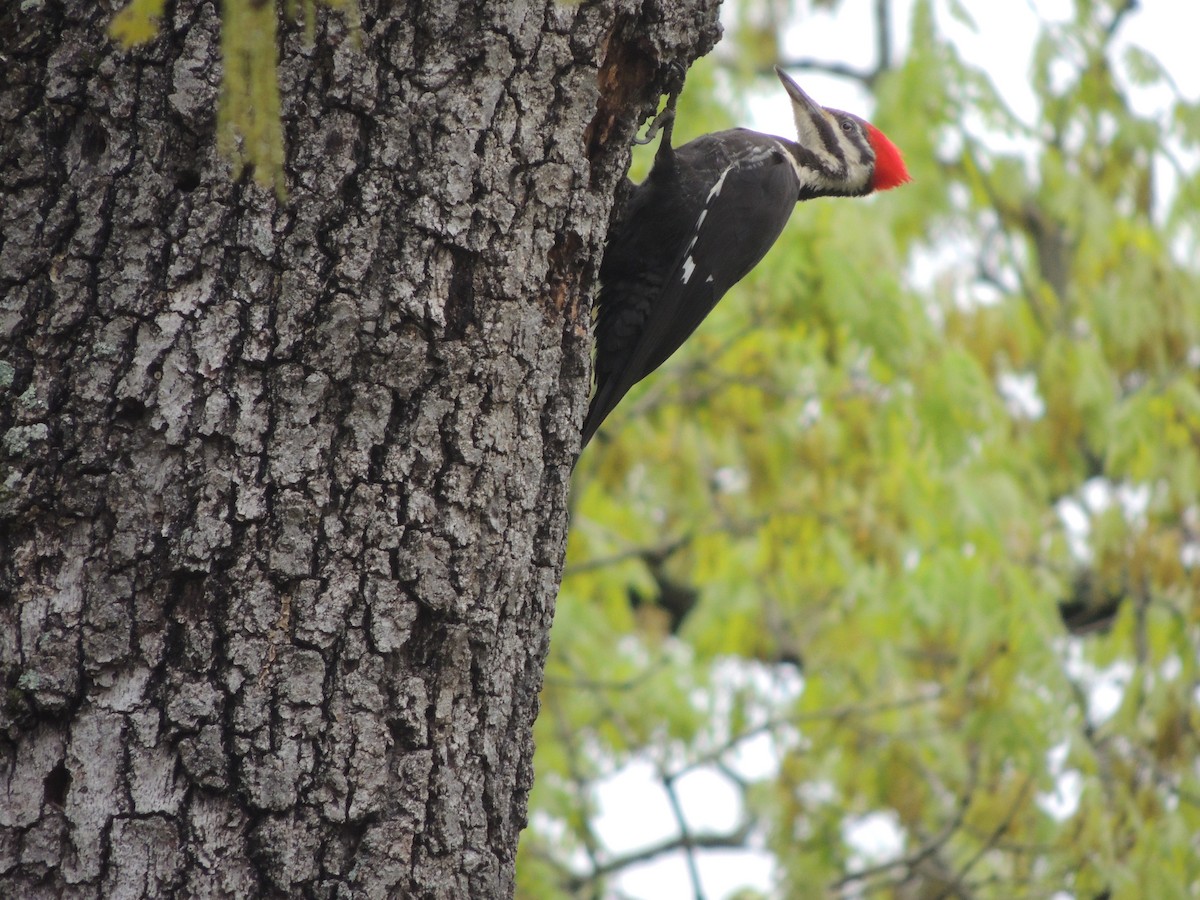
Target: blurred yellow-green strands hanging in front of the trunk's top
point(250, 127)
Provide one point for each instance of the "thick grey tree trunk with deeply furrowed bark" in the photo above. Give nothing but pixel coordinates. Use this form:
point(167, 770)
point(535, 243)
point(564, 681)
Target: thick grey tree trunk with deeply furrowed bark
point(283, 485)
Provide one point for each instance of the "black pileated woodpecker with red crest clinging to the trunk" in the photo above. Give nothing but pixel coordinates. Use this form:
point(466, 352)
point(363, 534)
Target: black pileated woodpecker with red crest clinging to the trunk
point(706, 215)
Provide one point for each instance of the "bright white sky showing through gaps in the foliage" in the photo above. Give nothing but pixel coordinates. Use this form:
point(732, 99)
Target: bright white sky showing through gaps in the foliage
point(634, 809)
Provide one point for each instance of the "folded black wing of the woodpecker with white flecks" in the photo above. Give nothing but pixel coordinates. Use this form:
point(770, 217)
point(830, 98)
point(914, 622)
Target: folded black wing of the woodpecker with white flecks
point(737, 223)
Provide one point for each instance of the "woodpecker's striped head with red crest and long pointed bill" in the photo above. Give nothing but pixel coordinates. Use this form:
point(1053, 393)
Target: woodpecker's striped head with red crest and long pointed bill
point(845, 155)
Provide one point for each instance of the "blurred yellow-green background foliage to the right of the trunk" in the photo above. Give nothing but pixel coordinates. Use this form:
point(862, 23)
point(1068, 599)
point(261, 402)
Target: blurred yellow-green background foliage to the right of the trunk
point(916, 508)
